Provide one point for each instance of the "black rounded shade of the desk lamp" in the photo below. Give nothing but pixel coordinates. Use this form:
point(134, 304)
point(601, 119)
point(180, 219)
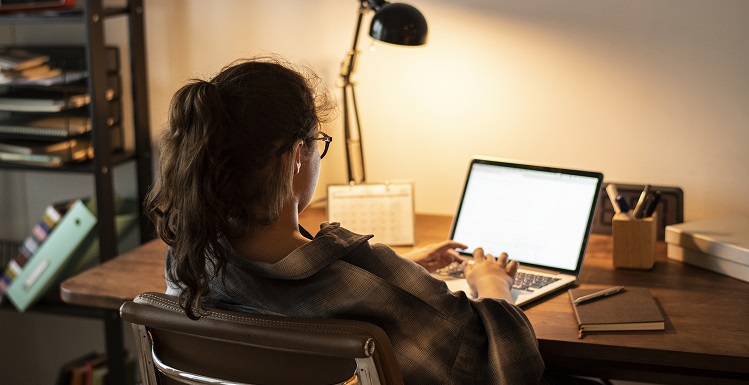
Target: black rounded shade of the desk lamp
point(400, 24)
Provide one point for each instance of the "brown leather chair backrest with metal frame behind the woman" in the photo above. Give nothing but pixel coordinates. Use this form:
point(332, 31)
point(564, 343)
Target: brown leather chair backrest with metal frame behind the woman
point(226, 347)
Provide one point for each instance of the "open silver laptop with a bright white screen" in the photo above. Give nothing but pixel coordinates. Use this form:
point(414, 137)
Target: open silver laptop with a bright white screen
point(540, 216)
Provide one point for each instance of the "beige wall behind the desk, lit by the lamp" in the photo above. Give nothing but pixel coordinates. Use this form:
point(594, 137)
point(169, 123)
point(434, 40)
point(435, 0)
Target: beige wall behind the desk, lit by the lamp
point(644, 91)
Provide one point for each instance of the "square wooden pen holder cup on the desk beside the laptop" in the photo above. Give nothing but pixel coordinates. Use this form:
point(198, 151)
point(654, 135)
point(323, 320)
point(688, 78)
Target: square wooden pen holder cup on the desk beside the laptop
point(634, 241)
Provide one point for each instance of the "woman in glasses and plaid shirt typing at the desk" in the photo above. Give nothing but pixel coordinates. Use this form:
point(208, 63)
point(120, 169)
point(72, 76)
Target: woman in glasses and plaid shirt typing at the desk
point(240, 160)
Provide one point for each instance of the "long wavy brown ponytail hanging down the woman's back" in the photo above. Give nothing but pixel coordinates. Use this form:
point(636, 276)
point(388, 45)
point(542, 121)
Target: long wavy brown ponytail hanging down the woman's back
point(184, 204)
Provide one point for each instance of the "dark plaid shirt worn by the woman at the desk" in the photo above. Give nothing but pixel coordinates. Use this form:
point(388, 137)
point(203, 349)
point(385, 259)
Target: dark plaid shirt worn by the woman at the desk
point(439, 337)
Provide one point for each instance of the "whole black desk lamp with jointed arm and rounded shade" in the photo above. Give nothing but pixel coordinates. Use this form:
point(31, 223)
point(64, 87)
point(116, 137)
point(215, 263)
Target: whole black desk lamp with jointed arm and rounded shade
point(394, 23)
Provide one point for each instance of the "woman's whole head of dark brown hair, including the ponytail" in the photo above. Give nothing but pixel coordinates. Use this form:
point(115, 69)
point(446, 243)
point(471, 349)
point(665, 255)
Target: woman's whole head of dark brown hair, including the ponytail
point(222, 170)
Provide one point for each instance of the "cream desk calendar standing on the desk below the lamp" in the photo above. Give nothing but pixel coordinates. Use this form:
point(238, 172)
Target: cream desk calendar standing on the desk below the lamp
point(385, 210)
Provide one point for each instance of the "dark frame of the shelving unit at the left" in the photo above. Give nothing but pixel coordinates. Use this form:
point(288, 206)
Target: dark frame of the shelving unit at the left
point(92, 16)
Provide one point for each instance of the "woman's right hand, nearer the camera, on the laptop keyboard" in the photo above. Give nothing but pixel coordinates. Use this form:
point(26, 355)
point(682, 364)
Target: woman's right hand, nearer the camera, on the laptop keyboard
point(491, 278)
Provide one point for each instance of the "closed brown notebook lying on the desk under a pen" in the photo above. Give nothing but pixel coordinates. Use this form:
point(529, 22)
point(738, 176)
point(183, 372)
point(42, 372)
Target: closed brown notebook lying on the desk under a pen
point(632, 309)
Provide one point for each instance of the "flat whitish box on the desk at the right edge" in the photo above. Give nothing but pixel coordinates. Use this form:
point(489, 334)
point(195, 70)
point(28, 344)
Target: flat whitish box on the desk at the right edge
point(717, 244)
